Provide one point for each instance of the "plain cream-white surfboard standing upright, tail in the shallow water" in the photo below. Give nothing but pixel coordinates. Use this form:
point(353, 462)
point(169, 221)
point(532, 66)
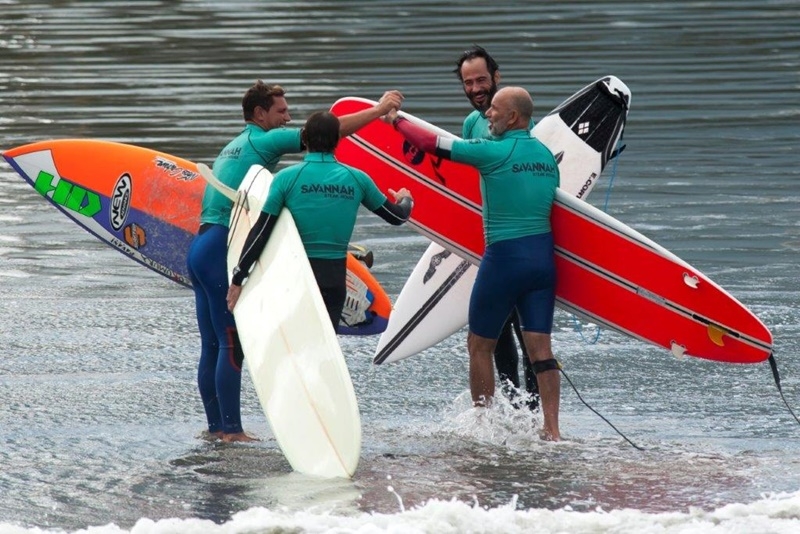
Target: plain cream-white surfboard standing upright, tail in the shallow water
point(290, 347)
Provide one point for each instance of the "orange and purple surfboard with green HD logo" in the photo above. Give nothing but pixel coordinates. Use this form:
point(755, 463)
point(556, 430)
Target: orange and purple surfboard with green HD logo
point(146, 204)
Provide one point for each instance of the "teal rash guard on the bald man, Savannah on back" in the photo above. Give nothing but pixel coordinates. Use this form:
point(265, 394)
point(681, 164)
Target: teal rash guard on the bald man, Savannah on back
point(519, 177)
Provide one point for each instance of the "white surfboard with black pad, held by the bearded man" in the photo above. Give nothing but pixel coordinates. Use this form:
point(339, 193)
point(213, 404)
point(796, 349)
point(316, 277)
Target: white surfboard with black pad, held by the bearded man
point(582, 132)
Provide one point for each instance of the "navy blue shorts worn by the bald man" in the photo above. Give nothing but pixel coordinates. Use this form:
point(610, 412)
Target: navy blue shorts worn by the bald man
point(515, 272)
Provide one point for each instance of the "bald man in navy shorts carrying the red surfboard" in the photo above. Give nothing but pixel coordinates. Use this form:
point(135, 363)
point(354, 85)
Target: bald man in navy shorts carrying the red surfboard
point(519, 178)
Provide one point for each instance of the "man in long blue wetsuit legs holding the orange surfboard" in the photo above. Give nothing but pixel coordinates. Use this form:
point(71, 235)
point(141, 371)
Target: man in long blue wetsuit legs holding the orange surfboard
point(264, 140)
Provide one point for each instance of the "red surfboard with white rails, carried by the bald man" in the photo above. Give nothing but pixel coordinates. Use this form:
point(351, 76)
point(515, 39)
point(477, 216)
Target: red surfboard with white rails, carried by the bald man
point(607, 272)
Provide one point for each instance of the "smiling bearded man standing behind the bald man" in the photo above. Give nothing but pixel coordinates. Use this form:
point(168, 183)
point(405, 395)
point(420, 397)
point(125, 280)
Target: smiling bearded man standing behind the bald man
point(479, 75)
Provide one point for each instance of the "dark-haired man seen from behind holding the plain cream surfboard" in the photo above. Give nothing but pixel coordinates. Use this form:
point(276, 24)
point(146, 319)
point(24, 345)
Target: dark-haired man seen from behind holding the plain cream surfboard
point(323, 196)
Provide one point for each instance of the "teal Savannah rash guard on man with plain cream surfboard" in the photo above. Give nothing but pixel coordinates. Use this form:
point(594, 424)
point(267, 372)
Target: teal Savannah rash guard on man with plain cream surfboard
point(323, 196)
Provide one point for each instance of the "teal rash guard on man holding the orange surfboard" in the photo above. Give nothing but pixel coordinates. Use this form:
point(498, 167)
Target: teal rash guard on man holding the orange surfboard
point(253, 146)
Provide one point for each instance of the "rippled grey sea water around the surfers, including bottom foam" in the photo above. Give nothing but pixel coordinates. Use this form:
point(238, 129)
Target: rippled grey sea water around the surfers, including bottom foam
point(100, 415)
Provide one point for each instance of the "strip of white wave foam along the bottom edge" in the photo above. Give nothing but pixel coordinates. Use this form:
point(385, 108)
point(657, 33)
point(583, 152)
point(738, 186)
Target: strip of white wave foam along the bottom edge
point(778, 513)
